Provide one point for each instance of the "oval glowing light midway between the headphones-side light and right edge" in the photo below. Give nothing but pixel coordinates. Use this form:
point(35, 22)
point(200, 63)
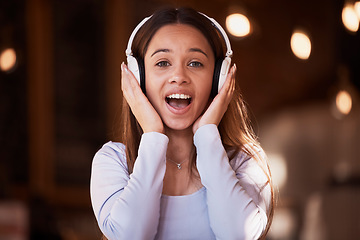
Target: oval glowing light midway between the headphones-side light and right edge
point(300, 45)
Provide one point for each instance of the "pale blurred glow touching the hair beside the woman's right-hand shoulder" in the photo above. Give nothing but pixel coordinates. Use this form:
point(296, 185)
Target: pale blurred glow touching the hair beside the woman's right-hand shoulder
point(278, 169)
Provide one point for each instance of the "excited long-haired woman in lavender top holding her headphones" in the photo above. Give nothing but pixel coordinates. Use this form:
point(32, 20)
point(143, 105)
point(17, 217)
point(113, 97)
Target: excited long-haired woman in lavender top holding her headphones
point(188, 165)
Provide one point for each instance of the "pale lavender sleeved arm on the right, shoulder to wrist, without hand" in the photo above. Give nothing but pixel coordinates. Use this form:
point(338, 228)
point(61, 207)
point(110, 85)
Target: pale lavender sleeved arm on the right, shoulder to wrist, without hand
point(237, 196)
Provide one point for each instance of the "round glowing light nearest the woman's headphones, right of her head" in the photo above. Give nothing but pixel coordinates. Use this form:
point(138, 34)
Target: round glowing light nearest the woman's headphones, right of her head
point(238, 25)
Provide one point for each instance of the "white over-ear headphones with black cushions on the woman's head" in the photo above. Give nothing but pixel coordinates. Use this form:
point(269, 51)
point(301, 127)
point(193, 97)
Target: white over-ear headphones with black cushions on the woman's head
point(221, 67)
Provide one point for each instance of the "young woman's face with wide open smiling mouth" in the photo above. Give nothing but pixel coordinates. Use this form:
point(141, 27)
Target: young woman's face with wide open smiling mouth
point(179, 67)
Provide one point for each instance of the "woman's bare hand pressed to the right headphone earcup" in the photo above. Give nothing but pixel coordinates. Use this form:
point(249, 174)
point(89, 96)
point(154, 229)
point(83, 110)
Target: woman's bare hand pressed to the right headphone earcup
point(219, 105)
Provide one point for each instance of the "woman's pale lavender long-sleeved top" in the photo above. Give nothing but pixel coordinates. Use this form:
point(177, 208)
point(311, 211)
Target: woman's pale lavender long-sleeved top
point(232, 204)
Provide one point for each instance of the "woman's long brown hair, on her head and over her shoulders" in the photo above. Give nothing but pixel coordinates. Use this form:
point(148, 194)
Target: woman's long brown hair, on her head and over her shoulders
point(235, 129)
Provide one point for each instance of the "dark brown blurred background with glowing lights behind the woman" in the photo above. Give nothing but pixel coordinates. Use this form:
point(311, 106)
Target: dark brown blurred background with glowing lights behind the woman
point(298, 67)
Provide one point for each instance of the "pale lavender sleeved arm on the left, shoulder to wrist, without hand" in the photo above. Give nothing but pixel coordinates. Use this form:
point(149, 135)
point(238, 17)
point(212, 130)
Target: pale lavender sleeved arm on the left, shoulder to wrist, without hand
point(128, 206)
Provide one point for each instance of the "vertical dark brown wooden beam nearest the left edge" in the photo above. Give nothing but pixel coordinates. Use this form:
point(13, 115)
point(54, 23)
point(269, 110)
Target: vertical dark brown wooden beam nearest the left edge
point(40, 95)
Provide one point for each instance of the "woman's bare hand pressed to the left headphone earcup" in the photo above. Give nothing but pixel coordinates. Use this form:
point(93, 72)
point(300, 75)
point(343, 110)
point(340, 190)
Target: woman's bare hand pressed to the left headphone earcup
point(142, 109)
